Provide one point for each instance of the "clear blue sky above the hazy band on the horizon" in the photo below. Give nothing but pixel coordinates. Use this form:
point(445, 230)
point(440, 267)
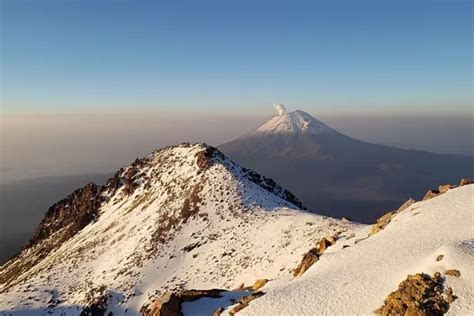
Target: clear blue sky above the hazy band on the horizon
point(64, 55)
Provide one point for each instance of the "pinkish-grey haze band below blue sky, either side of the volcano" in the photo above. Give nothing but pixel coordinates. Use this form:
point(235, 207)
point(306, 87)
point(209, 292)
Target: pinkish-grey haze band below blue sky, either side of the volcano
point(46, 145)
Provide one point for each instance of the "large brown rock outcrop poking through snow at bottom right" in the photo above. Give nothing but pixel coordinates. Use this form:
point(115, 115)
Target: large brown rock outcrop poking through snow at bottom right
point(418, 294)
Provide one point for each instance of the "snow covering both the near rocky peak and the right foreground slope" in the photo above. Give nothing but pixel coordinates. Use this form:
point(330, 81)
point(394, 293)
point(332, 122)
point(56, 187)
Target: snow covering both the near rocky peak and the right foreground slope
point(241, 233)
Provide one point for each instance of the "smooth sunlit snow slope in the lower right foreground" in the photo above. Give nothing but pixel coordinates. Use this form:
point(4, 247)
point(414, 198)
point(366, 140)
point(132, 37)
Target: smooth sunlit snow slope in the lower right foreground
point(357, 279)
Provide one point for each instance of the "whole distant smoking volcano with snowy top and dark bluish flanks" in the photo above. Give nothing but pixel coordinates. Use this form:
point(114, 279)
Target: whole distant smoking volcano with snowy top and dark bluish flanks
point(337, 175)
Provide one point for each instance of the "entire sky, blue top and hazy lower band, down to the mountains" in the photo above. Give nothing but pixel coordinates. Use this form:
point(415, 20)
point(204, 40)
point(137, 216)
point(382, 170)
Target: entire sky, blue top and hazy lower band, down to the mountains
point(88, 86)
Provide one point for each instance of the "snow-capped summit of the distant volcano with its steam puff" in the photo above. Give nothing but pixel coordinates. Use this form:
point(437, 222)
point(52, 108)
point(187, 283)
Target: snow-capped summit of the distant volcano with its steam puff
point(293, 122)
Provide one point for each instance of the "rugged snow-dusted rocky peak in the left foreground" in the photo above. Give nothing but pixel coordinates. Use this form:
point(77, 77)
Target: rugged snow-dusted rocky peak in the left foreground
point(184, 217)
